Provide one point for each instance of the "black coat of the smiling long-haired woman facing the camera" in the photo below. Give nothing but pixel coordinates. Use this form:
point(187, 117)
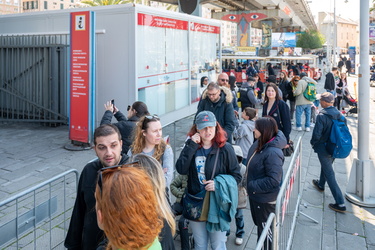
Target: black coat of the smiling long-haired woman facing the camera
point(280, 112)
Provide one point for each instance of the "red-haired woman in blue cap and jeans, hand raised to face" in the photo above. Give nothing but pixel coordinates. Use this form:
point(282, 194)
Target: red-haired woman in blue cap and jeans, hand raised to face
point(206, 143)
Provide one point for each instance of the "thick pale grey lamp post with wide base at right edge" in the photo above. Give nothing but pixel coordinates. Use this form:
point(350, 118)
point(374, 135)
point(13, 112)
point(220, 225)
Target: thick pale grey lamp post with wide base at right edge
point(360, 189)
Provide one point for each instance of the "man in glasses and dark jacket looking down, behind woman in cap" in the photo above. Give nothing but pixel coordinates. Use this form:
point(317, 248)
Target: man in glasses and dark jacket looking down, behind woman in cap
point(218, 100)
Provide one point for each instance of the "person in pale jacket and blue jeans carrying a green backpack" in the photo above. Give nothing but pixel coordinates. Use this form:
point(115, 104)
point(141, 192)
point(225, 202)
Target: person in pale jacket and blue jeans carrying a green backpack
point(302, 104)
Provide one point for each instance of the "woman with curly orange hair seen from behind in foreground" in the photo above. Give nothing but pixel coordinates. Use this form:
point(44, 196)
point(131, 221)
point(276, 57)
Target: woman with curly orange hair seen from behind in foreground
point(125, 207)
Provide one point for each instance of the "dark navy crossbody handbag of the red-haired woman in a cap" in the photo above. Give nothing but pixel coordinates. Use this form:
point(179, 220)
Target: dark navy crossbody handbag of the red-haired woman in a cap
point(195, 207)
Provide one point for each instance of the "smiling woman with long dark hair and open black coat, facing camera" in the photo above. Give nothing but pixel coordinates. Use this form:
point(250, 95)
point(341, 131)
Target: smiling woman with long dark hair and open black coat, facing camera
point(277, 109)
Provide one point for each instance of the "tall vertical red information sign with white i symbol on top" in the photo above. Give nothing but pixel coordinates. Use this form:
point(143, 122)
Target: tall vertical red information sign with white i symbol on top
point(79, 76)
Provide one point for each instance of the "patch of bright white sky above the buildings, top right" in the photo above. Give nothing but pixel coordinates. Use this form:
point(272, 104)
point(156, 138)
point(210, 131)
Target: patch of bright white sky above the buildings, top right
point(345, 10)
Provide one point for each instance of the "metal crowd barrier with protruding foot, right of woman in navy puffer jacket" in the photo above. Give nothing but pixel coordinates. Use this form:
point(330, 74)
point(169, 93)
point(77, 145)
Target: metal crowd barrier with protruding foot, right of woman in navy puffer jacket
point(287, 203)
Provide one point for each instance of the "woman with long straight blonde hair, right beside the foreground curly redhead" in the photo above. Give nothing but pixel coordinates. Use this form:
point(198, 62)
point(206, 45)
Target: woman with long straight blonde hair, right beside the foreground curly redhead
point(154, 171)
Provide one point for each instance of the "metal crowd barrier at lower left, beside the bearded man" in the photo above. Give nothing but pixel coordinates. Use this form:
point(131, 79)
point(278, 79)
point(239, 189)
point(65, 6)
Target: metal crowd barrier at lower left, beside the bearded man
point(38, 218)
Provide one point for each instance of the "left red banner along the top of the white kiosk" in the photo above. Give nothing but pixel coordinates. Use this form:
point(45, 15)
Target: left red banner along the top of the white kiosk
point(162, 22)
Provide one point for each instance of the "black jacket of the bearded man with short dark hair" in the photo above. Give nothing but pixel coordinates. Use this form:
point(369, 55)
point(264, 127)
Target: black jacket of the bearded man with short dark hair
point(84, 232)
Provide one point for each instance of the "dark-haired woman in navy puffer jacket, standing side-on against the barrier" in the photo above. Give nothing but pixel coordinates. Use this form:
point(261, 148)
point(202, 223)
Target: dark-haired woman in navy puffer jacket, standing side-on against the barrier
point(264, 172)
